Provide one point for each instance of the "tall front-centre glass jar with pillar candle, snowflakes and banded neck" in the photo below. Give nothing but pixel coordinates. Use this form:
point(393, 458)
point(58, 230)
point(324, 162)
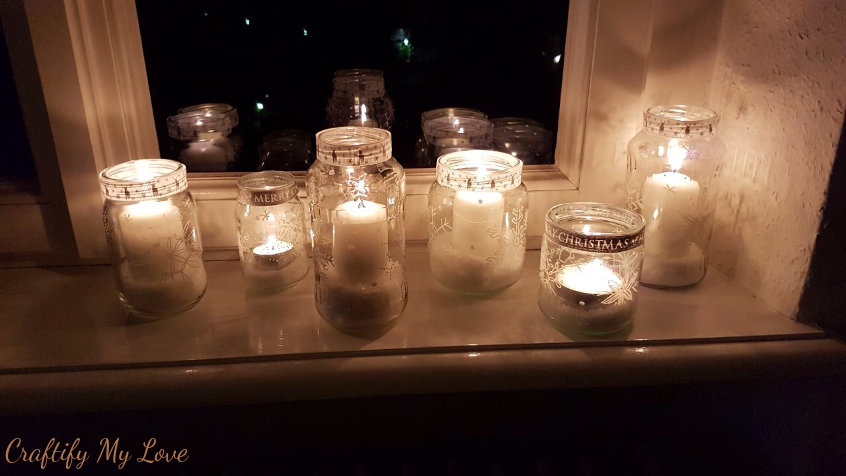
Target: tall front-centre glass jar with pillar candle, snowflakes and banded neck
point(356, 191)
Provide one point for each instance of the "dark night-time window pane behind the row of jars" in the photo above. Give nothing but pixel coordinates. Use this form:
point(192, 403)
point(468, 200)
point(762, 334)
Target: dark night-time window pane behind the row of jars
point(274, 61)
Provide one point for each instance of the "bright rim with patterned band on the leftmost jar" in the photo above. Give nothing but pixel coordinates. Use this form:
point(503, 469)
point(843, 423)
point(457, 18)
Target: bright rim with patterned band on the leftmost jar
point(142, 179)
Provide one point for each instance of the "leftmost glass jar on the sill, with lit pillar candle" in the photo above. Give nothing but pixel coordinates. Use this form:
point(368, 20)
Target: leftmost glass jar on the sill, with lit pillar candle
point(153, 237)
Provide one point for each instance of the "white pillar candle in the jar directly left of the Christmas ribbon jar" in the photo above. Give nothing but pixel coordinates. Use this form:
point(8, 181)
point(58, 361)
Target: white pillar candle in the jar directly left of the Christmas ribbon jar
point(477, 222)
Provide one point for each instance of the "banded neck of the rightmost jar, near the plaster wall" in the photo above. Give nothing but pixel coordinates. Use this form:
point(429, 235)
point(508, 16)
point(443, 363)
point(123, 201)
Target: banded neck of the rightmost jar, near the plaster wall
point(680, 121)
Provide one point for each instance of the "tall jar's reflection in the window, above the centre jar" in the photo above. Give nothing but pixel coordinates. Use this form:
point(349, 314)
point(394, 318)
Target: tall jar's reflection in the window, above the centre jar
point(359, 99)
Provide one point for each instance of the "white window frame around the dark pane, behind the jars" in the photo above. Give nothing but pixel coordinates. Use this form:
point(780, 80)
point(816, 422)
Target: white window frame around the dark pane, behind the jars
point(90, 58)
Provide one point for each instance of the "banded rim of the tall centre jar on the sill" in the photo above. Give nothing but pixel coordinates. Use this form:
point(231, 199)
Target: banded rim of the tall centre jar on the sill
point(353, 145)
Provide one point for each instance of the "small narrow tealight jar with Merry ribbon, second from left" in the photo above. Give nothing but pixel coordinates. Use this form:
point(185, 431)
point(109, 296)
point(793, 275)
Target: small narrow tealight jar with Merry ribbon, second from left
point(270, 222)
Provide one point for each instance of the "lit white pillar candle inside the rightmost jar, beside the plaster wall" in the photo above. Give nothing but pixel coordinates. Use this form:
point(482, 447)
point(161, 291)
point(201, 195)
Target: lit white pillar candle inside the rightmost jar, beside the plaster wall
point(670, 201)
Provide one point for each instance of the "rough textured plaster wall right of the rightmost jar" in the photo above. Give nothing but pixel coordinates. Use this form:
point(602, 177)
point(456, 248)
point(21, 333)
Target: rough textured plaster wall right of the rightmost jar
point(779, 81)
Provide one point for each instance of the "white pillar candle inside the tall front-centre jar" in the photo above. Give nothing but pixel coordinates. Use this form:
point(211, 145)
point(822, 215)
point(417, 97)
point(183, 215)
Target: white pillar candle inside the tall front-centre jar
point(360, 241)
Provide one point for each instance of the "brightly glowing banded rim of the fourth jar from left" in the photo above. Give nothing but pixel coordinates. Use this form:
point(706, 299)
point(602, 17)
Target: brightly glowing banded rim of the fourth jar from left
point(462, 170)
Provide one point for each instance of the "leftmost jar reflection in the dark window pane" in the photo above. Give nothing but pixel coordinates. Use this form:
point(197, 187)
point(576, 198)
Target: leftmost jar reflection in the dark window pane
point(201, 140)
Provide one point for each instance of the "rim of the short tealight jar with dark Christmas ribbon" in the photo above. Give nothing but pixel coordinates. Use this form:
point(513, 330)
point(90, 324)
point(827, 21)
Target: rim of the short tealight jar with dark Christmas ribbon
point(569, 225)
